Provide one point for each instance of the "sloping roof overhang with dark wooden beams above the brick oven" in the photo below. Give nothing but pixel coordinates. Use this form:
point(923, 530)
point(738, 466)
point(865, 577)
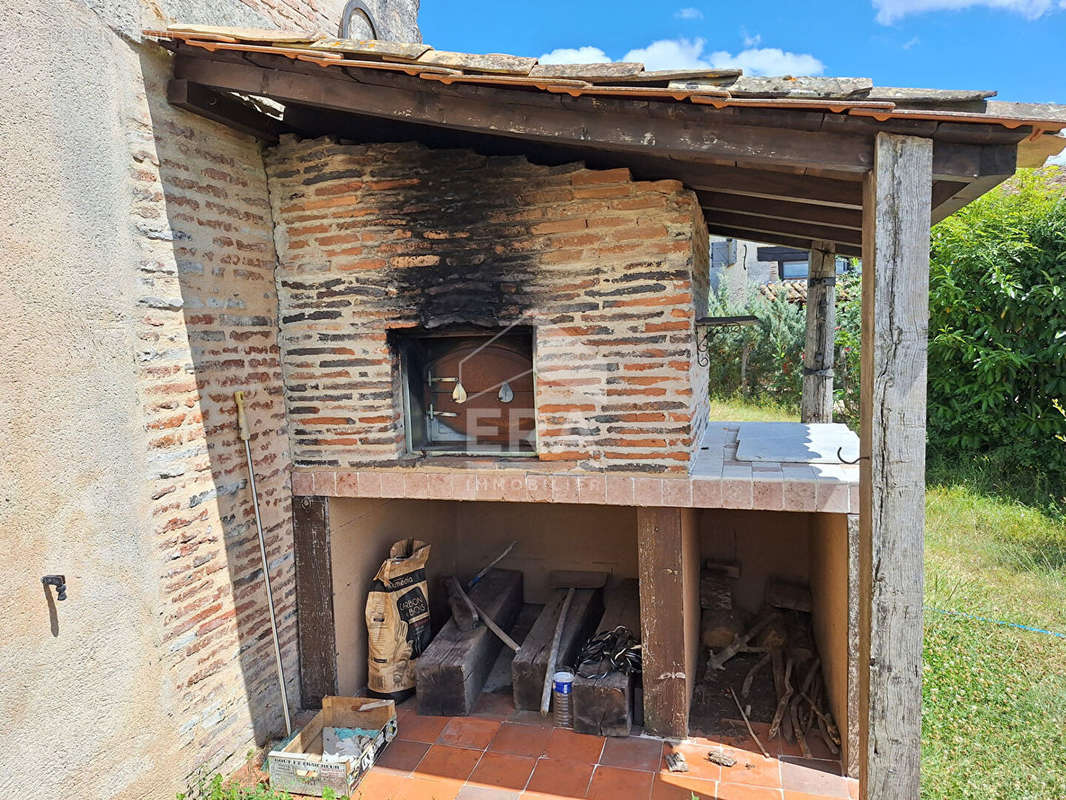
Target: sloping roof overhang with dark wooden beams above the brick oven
point(778, 170)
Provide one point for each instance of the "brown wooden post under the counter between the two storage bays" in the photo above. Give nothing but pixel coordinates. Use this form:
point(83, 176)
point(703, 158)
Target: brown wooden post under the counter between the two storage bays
point(668, 543)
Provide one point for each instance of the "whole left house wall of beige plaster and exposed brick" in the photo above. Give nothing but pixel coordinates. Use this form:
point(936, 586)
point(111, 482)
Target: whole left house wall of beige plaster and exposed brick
point(137, 264)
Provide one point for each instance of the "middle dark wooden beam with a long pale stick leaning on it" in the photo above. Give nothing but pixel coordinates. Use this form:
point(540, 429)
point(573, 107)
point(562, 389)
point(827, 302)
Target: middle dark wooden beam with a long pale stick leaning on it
point(531, 662)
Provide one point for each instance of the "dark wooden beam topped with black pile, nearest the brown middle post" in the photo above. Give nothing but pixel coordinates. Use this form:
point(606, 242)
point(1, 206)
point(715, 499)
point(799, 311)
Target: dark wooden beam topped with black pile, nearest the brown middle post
point(604, 706)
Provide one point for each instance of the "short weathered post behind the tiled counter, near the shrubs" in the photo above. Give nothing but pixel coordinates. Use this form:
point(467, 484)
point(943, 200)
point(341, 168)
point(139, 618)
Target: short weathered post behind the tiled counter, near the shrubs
point(817, 406)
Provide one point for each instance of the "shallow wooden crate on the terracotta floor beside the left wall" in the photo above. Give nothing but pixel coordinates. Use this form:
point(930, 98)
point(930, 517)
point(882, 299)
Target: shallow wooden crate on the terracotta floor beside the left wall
point(300, 767)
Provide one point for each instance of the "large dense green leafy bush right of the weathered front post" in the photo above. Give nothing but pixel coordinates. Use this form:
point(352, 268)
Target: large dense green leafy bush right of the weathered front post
point(997, 373)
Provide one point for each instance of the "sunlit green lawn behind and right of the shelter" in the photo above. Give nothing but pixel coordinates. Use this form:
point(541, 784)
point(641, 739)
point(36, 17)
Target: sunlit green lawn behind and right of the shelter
point(994, 714)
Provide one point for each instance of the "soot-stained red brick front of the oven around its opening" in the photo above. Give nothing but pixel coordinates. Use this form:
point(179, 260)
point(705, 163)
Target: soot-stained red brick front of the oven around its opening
point(372, 237)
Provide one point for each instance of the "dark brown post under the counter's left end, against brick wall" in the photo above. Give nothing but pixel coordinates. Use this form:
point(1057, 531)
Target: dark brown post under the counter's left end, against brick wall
point(315, 615)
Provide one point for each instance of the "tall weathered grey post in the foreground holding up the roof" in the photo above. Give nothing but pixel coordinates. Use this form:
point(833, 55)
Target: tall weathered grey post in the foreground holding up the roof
point(896, 249)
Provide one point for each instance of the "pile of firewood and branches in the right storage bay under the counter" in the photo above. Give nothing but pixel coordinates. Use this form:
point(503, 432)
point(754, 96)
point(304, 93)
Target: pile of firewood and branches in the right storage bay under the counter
point(783, 634)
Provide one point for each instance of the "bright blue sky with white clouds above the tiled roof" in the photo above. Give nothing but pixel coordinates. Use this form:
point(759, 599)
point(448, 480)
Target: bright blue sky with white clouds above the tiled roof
point(1017, 47)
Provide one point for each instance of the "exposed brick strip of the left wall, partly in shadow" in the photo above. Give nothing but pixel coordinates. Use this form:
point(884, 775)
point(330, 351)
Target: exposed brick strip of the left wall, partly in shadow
point(209, 328)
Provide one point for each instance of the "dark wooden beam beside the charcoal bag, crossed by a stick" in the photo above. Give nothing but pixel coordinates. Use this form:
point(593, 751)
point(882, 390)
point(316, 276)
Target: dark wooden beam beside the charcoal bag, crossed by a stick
point(453, 670)
